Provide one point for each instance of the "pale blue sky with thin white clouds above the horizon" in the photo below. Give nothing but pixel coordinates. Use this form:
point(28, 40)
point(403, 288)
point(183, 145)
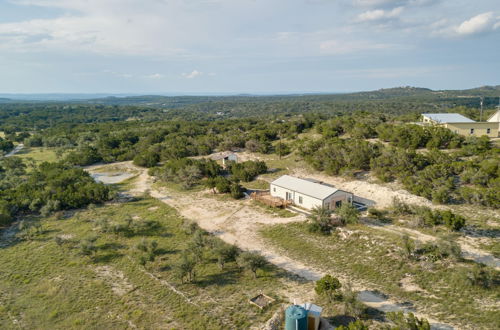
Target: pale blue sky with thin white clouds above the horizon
point(246, 46)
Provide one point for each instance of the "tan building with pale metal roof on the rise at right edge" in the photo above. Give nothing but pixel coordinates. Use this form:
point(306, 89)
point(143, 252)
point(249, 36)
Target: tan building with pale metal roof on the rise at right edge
point(461, 124)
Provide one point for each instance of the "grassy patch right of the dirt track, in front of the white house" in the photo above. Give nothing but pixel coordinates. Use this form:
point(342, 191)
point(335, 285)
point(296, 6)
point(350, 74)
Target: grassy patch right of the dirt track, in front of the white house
point(373, 259)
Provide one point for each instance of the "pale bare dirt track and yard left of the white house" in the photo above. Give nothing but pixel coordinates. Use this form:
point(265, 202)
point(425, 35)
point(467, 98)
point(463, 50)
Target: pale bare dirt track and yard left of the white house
point(238, 223)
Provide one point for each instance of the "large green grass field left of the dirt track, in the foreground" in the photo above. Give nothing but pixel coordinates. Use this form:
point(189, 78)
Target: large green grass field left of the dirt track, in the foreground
point(47, 286)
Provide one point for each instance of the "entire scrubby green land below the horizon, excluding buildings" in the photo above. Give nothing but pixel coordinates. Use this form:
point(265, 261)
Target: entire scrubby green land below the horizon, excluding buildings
point(81, 254)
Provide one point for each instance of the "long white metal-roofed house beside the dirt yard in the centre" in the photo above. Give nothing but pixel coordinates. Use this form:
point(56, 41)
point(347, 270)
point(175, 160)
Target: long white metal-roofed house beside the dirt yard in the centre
point(309, 193)
